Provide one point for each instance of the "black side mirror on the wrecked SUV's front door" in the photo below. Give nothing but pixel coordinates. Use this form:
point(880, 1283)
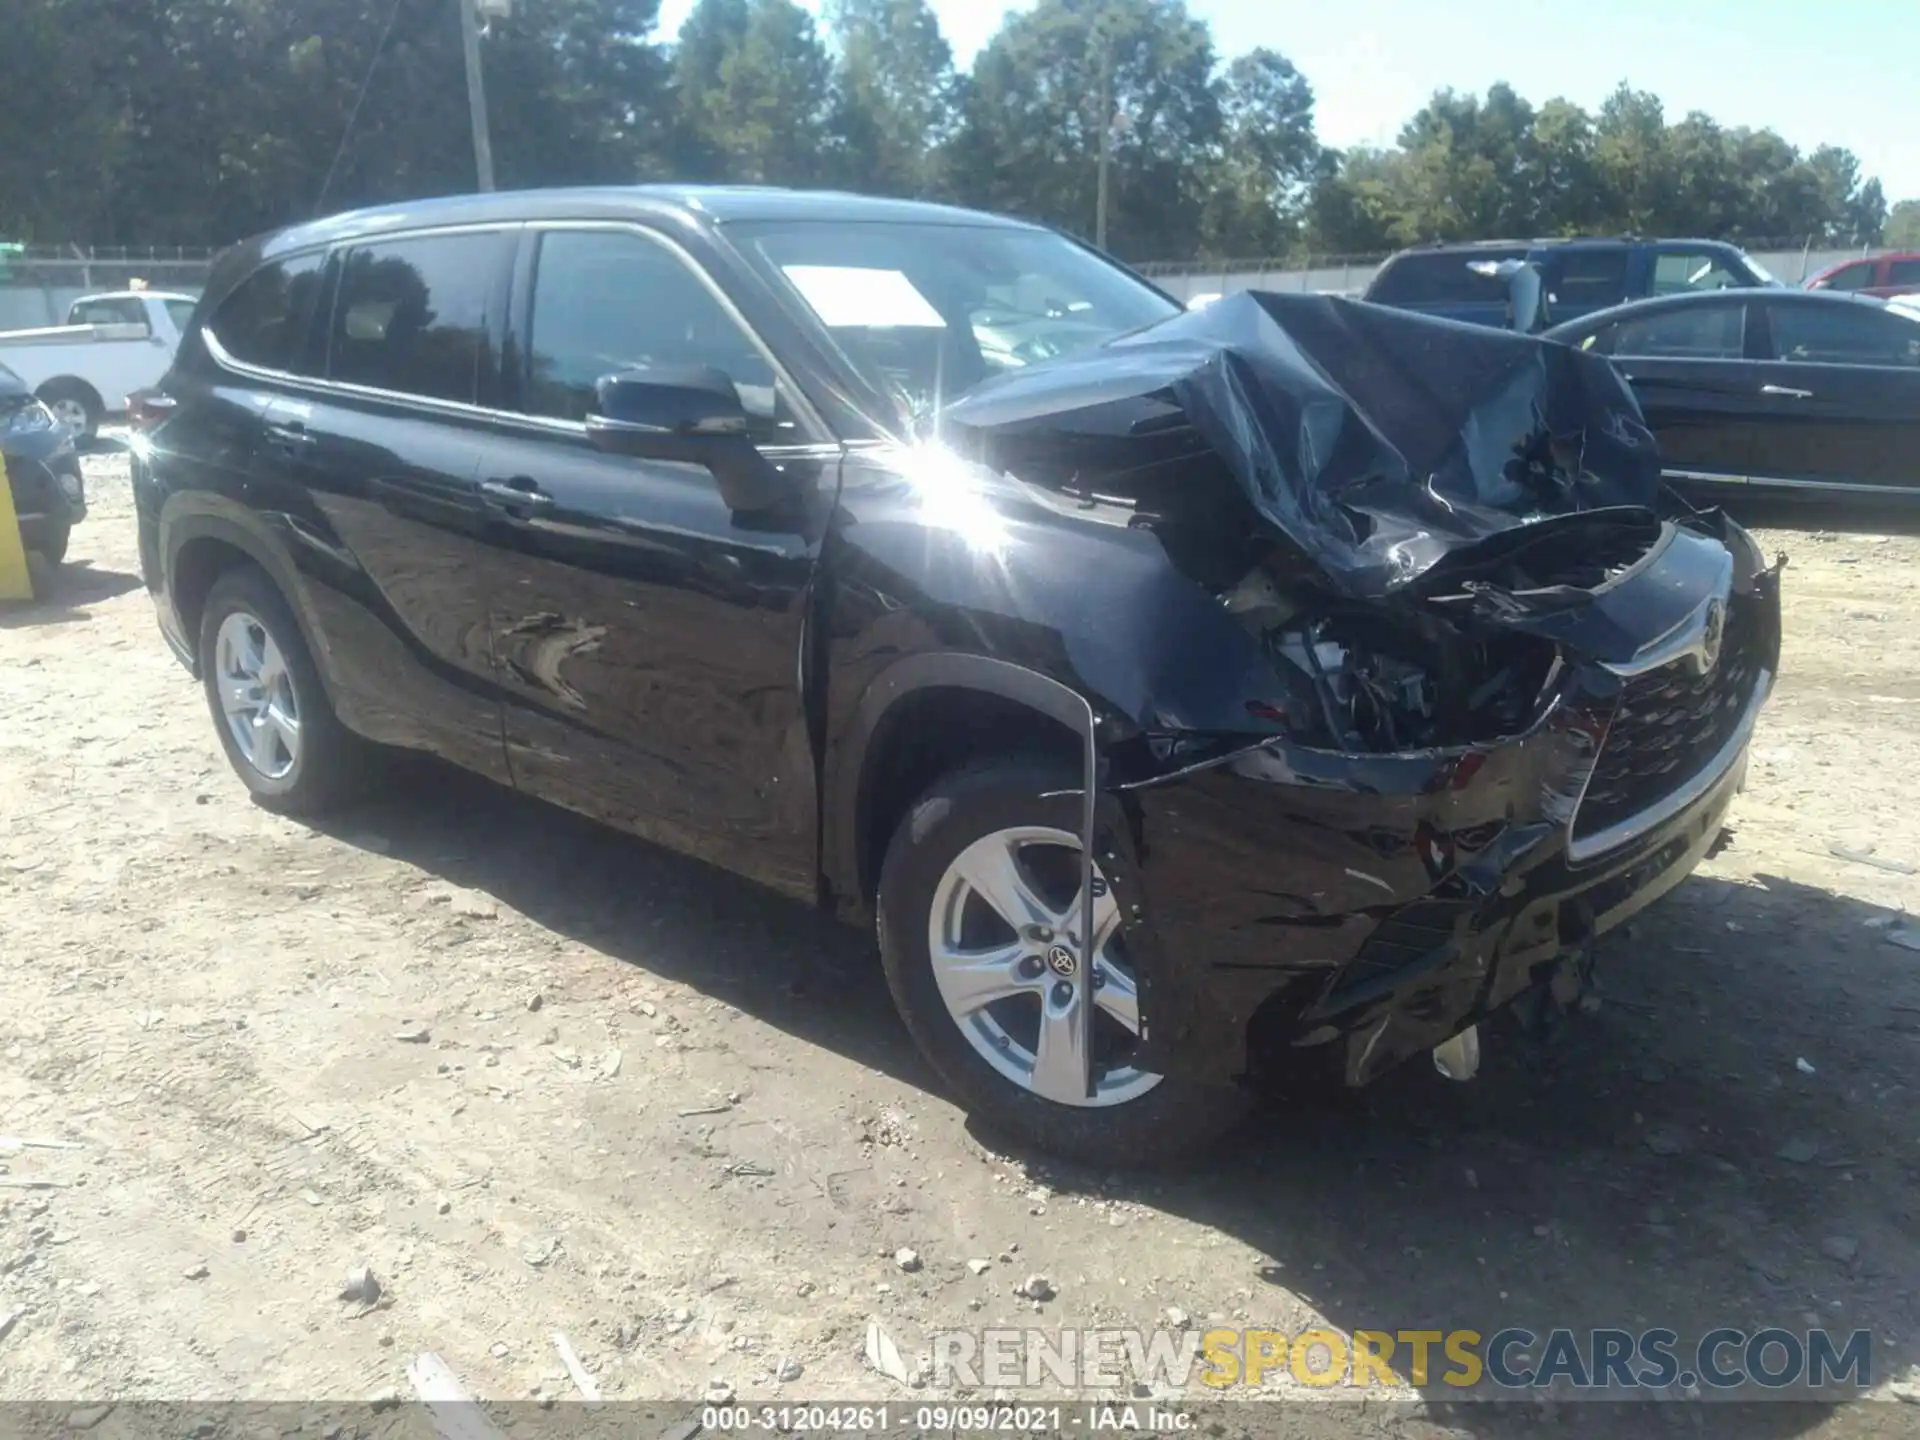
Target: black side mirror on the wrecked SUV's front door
point(686, 414)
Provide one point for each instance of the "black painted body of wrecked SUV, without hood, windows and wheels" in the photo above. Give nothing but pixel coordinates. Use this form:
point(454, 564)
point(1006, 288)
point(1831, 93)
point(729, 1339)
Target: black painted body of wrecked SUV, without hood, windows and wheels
point(606, 633)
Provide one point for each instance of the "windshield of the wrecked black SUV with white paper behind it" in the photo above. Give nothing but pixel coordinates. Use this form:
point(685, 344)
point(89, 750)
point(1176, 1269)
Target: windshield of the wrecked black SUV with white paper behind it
point(928, 312)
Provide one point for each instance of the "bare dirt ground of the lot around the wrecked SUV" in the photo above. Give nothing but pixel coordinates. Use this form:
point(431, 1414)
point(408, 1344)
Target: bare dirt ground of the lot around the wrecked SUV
point(544, 1078)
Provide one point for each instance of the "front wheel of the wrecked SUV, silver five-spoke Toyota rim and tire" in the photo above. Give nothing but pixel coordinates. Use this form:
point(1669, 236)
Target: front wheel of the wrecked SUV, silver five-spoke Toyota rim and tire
point(980, 923)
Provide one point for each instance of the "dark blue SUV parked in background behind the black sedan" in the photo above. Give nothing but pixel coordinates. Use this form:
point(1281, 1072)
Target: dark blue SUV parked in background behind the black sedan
point(1464, 281)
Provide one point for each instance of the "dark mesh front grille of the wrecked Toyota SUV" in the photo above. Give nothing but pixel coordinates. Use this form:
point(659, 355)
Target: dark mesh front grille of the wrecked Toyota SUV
point(1671, 725)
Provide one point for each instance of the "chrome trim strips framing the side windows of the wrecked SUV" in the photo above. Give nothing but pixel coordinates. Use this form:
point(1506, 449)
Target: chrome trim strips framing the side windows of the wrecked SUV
point(554, 425)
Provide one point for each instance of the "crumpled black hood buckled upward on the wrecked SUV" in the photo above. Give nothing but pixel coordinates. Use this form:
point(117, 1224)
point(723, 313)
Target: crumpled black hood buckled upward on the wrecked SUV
point(1372, 441)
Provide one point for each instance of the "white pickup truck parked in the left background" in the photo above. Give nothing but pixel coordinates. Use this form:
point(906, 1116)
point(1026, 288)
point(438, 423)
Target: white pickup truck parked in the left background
point(112, 345)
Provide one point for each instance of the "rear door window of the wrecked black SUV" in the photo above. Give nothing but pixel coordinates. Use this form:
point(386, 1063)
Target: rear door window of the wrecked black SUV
point(412, 316)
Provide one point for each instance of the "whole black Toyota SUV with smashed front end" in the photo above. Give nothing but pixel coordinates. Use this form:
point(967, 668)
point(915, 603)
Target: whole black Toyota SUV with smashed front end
point(1168, 688)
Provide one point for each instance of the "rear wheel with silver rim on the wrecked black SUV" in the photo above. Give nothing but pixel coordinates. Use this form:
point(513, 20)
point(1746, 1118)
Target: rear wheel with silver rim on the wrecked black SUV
point(268, 702)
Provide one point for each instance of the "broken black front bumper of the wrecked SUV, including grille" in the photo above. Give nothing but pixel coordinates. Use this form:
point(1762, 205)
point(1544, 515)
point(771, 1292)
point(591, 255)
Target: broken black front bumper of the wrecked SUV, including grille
point(1383, 903)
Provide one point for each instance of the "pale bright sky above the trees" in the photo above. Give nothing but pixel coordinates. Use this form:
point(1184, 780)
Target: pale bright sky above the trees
point(1846, 72)
